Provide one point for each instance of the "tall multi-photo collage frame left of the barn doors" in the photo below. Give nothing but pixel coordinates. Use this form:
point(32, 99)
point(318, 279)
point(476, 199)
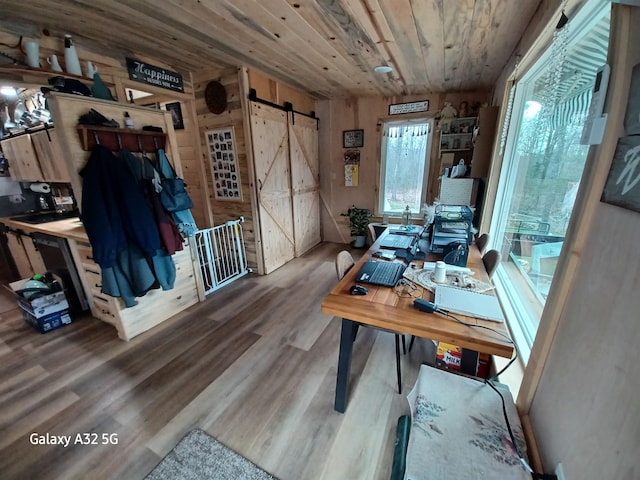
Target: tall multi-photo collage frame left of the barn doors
point(224, 164)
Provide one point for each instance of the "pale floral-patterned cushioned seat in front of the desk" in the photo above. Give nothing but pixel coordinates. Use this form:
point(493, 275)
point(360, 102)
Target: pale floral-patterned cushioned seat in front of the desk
point(458, 430)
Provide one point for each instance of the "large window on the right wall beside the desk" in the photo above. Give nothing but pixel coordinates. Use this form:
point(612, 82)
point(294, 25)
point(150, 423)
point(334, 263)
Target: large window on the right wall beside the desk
point(543, 164)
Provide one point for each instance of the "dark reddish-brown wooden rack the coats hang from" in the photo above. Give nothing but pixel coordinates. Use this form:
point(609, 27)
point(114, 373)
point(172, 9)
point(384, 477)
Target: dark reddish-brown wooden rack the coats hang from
point(118, 138)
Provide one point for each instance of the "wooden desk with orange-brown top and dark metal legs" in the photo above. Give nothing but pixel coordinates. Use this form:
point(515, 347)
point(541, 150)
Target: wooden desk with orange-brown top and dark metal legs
point(382, 307)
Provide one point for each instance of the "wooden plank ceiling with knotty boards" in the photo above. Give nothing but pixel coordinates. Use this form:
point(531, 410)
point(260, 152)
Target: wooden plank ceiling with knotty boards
point(326, 47)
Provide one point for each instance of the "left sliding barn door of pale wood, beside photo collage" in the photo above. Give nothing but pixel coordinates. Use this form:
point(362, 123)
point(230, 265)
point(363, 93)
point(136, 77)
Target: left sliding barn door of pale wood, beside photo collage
point(270, 138)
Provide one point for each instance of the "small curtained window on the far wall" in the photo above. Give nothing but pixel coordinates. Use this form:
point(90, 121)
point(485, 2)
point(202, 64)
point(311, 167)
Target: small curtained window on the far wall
point(405, 165)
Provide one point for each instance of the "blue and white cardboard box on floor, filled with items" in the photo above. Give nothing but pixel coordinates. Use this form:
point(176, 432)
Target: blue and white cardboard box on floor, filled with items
point(45, 312)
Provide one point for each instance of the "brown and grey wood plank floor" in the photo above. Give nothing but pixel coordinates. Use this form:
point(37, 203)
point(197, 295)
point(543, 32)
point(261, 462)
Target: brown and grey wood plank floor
point(254, 366)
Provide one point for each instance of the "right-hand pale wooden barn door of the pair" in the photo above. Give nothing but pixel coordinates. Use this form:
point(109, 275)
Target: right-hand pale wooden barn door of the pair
point(305, 182)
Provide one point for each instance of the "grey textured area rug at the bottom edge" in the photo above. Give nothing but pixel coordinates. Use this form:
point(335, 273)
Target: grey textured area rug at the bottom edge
point(199, 456)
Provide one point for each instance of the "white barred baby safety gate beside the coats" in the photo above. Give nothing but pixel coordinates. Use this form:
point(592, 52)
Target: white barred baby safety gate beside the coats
point(221, 254)
